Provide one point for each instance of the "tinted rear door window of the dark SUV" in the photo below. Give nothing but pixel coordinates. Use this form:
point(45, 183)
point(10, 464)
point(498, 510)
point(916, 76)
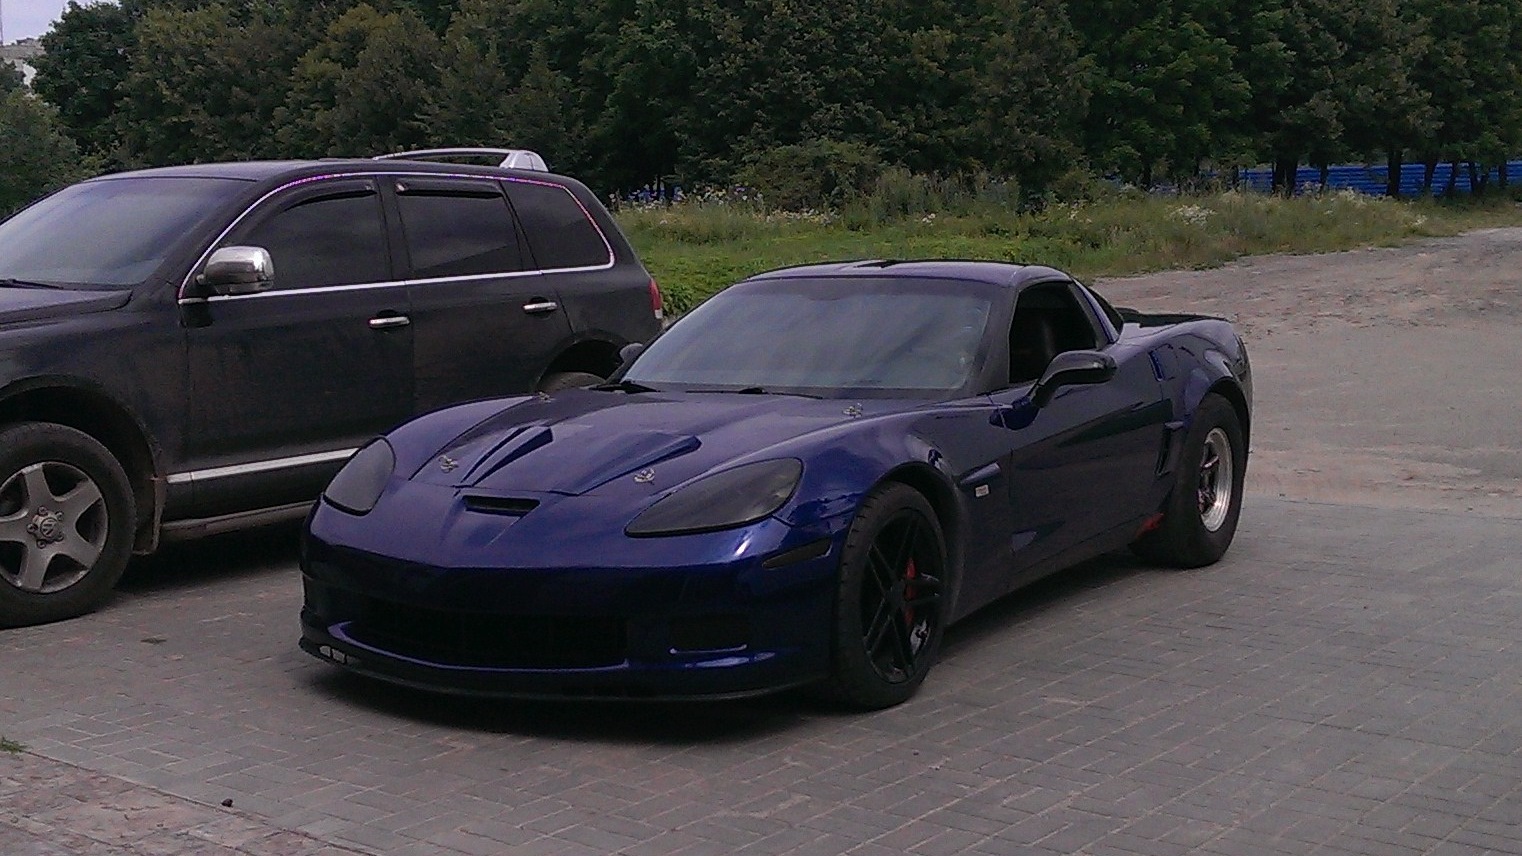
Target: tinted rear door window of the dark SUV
point(459, 232)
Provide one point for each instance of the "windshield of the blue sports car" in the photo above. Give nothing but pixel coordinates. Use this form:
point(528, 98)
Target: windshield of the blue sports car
point(827, 337)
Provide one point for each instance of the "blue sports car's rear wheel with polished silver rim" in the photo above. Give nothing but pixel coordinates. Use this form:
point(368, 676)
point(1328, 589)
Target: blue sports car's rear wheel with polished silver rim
point(1206, 502)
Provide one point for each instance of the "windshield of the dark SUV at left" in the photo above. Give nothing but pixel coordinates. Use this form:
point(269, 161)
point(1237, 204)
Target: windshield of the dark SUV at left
point(107, 234)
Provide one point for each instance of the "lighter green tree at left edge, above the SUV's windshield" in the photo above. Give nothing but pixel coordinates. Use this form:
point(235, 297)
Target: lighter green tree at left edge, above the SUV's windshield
point(36, 153)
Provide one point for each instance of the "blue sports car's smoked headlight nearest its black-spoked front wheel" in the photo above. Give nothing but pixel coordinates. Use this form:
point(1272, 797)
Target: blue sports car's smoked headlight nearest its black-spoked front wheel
point(724, 500)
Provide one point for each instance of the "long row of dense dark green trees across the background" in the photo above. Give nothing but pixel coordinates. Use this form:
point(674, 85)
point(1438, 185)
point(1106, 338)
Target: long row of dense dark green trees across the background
point(810, 103)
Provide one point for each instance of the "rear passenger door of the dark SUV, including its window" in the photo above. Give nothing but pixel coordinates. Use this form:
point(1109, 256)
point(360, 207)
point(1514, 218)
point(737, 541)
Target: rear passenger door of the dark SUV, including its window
point(485, 321)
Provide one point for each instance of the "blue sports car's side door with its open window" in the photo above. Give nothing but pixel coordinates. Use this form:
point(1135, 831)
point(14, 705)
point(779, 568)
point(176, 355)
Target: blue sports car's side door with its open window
point(1078, 468)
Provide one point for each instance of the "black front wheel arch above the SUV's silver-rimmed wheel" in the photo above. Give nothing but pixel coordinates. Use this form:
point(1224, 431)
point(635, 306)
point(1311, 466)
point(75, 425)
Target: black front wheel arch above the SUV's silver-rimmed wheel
point(86, 407)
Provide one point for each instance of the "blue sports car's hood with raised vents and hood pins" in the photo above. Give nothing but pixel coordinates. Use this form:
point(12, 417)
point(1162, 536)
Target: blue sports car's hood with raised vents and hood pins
point(603, 442)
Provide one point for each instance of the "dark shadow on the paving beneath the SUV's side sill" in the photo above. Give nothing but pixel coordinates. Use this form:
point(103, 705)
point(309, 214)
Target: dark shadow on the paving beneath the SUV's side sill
point(205, 561)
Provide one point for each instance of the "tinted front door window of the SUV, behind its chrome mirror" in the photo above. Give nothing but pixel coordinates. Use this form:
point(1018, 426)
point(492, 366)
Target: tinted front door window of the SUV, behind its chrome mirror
point(330, 240)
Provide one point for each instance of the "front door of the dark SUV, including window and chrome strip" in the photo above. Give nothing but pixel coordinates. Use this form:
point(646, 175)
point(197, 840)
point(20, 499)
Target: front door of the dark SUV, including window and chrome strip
point(287, 383)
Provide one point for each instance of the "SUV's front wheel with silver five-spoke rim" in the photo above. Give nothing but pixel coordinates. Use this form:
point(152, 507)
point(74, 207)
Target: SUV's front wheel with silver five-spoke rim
point(66, 523)
